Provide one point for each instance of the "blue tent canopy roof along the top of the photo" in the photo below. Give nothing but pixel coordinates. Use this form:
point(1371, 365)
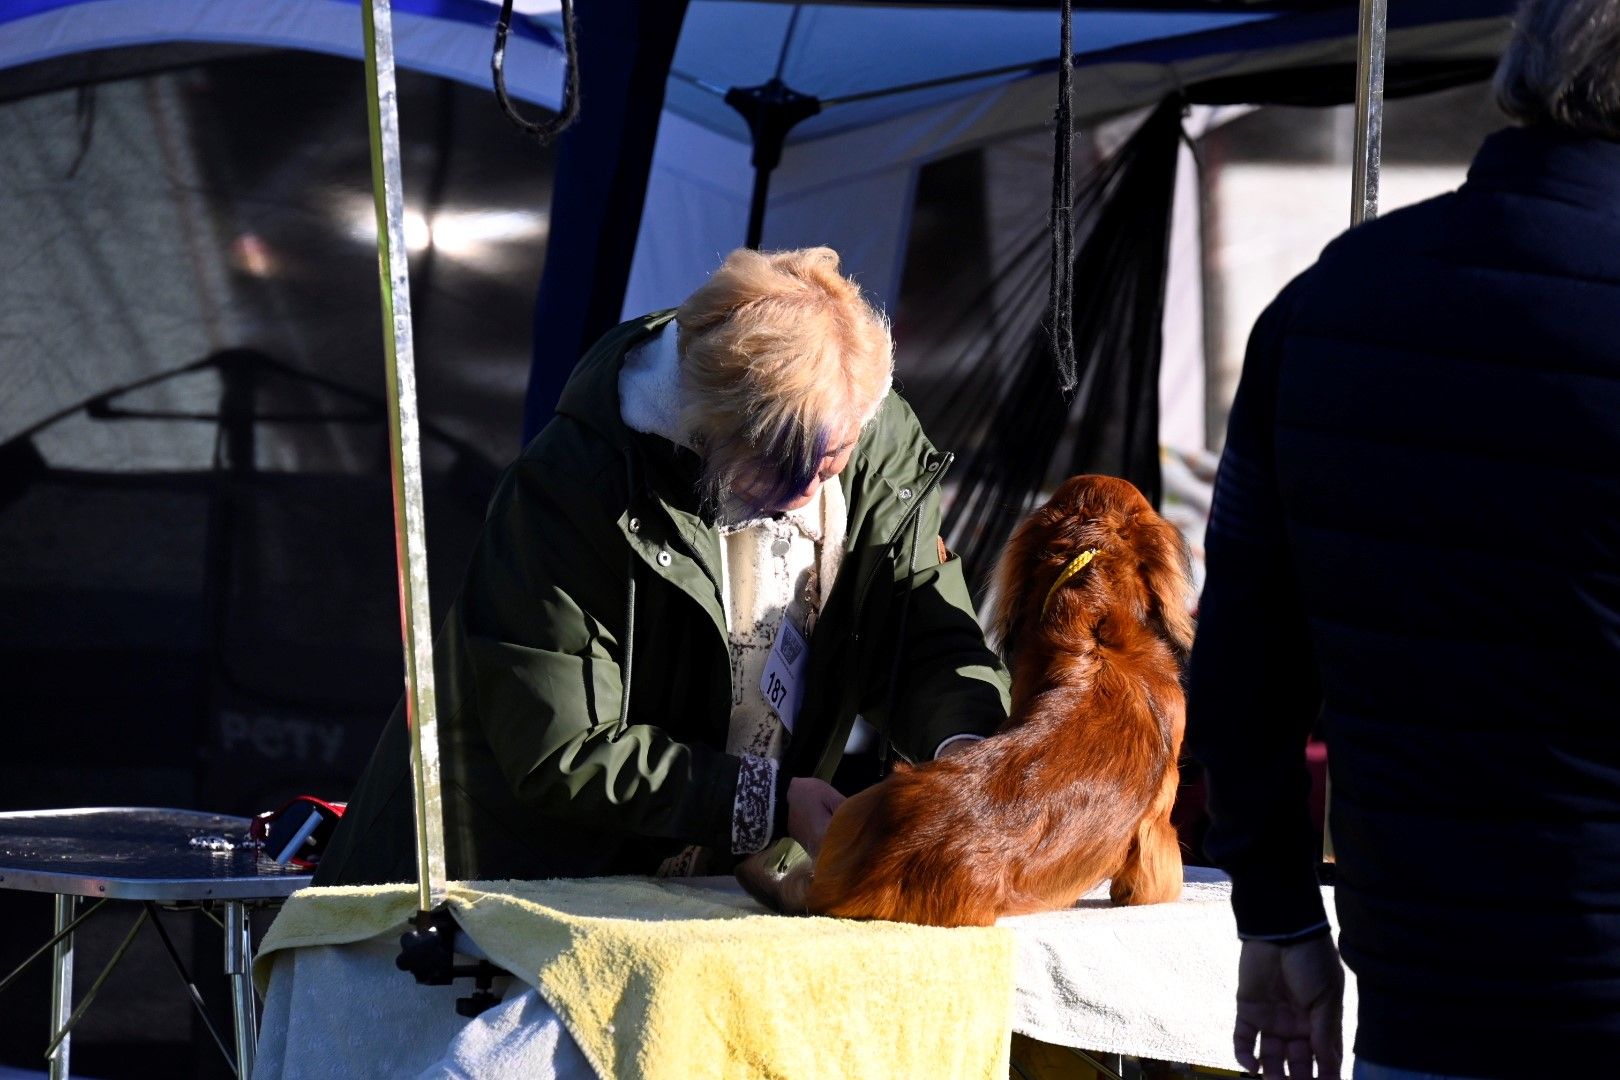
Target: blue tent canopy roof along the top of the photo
point(866, 62)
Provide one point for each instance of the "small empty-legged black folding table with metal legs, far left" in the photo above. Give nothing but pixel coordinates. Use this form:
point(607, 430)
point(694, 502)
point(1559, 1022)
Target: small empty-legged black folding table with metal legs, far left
point(147, 857)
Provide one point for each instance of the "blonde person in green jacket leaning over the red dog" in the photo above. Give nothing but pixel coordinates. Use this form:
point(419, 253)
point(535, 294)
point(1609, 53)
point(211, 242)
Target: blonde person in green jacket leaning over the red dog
point(689, 585)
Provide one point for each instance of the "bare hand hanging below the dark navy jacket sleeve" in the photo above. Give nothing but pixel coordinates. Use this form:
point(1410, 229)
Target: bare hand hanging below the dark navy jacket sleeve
point(1292, 998)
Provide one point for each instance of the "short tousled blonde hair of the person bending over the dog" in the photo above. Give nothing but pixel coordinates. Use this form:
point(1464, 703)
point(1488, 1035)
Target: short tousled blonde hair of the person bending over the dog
point(780, 357)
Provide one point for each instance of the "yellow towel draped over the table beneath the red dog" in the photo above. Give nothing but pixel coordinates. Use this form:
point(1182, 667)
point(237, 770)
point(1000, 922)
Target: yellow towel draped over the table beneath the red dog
point(668, 982)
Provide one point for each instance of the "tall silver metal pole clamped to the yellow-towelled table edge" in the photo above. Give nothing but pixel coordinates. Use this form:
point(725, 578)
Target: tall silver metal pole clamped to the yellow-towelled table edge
point(406, 451)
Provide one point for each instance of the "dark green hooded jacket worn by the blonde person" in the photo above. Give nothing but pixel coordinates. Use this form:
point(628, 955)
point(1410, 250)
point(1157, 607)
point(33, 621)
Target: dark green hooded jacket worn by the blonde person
point(584, 676)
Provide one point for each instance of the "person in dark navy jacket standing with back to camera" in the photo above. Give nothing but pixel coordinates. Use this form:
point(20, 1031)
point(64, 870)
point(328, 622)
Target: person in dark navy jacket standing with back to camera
point(1417, 543)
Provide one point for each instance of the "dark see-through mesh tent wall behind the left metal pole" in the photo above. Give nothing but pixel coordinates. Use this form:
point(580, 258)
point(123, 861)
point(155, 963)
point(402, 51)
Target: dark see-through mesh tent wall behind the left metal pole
point(197, 556)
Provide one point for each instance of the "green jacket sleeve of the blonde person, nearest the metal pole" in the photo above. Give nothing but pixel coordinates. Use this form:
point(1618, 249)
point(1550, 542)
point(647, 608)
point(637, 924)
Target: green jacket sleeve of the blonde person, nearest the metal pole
point(540, 619)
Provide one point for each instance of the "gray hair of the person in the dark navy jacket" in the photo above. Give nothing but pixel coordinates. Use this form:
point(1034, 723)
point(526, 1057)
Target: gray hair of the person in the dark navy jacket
point(1562, 67)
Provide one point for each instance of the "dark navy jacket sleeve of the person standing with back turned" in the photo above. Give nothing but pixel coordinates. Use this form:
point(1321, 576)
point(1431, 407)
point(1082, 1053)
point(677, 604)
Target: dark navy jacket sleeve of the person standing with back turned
point(1253, 689)
